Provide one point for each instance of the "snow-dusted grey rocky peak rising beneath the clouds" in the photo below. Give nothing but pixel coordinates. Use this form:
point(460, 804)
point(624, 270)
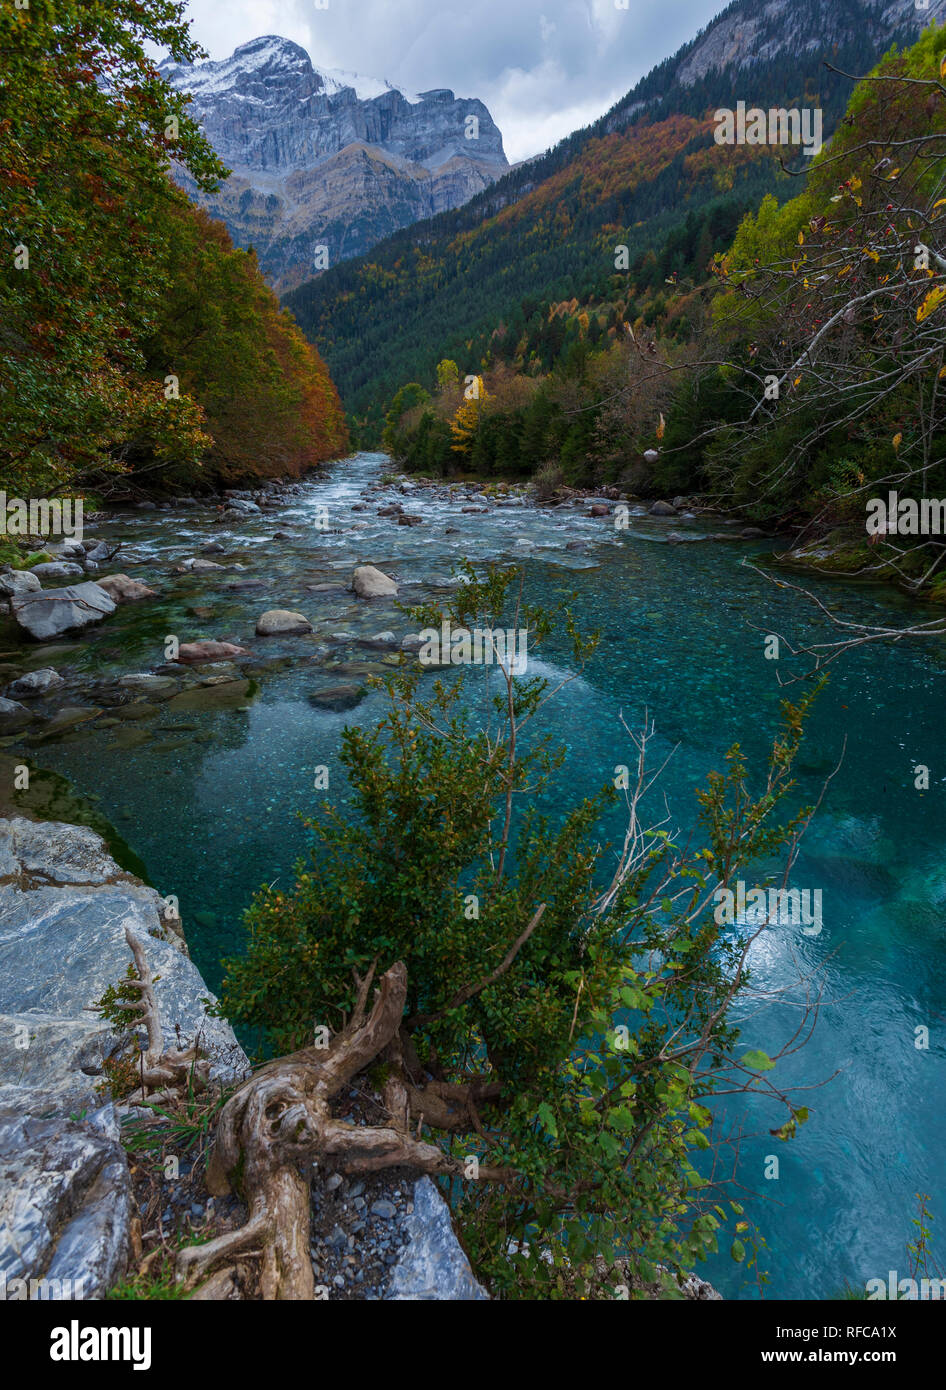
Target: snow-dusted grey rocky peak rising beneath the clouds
point(330, 159)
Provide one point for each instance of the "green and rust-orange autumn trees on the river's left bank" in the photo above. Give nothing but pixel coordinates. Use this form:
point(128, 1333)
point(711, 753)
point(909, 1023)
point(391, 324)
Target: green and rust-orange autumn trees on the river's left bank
point(141, 351)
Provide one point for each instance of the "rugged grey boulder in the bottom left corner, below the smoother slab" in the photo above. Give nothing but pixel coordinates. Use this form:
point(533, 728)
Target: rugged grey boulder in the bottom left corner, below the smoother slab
point(65, 1200)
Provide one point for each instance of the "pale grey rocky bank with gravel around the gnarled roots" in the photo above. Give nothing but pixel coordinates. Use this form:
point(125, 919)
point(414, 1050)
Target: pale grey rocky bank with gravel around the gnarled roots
point(81, 1209)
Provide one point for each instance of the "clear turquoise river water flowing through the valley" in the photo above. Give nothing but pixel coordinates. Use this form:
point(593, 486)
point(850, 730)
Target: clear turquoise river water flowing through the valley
point(210, 800)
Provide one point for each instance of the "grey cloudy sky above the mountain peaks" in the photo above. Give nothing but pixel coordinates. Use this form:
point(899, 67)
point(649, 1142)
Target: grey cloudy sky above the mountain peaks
point(542, 67)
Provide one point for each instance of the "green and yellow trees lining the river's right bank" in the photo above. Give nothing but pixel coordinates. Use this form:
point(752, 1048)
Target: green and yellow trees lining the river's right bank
point(798, 379)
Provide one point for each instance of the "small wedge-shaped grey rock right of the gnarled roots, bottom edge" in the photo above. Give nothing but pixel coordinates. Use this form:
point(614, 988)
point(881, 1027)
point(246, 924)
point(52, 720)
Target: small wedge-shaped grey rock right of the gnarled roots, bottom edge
point(433, 1264)
